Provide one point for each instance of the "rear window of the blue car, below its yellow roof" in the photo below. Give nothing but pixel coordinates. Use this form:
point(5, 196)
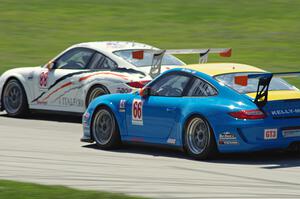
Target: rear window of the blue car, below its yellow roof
point(275, 84)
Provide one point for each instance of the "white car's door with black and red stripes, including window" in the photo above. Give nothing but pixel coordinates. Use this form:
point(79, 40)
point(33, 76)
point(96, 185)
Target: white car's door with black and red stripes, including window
point(55, 89)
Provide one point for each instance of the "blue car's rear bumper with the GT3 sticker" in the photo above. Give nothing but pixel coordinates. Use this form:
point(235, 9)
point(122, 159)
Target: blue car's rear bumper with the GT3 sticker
point(247, 136)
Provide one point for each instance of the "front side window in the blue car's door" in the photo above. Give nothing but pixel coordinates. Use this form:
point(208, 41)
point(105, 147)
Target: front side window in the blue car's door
point(171, 85)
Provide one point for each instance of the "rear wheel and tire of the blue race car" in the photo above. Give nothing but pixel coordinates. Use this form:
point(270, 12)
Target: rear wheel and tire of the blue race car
point(199, 141)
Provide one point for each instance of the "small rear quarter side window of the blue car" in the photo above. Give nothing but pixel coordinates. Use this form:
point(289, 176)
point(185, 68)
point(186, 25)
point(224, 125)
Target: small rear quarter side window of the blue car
point(201, 88)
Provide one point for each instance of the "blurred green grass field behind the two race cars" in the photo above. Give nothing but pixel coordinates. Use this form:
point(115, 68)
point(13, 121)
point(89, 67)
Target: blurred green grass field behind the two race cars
point(263, 33)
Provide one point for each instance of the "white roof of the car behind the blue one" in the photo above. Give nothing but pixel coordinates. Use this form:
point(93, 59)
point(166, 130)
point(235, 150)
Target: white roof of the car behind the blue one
point(111, 46)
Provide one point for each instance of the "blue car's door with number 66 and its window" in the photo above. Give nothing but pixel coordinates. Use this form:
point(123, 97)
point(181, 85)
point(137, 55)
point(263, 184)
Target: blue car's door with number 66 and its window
point(154, 116)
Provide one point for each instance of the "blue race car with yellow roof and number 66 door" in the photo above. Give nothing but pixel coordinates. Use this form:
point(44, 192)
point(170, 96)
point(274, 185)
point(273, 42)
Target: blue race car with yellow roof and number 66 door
point(202, 113)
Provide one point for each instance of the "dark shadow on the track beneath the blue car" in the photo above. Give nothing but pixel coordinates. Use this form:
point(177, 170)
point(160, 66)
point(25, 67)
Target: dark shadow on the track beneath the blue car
point(265, 159)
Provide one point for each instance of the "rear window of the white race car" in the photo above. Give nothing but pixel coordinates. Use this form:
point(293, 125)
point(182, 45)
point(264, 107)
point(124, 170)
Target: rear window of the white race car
point(147, 59)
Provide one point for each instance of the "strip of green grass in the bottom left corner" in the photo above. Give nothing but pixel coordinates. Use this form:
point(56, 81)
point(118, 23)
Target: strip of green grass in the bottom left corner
point(18, 190)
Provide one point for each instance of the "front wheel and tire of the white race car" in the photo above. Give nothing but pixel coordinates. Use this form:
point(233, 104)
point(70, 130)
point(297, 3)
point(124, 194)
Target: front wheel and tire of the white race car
point(14, 99)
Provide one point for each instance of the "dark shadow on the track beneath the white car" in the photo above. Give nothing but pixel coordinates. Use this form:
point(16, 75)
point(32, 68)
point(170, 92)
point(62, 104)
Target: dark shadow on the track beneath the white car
point(49, 117)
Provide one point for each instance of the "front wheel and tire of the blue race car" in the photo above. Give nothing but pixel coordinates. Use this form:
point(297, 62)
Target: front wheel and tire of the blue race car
point(105, 130)
